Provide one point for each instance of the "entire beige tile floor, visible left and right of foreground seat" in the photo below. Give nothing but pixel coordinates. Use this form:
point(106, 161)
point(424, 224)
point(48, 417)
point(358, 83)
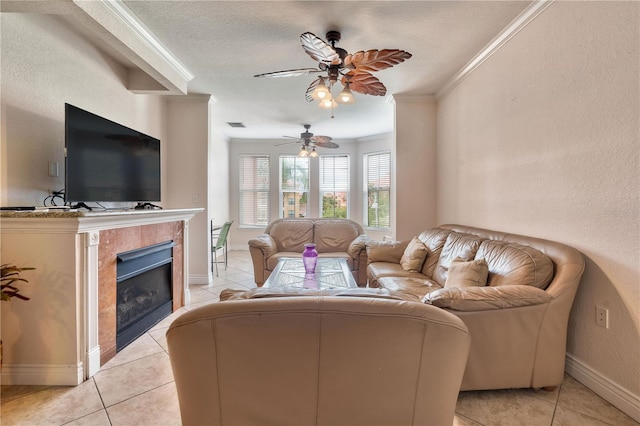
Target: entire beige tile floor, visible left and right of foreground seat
point(136, 387)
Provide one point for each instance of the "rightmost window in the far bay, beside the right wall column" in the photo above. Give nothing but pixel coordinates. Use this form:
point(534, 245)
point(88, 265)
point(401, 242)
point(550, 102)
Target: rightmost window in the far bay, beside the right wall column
point(377, 185)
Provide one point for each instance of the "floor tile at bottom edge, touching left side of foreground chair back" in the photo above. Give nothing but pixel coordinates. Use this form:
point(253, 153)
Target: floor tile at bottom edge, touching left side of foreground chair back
point(156, 407)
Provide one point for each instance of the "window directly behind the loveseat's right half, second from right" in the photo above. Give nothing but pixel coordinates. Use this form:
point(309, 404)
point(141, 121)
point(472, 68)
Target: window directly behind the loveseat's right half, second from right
point(334, 185)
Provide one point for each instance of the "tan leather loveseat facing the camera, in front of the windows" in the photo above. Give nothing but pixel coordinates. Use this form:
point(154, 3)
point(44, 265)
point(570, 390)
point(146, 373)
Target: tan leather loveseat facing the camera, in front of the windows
point(287, 237)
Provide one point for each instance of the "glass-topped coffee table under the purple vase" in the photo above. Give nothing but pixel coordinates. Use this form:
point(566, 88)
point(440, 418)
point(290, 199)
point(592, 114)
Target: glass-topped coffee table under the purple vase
point(331, 272)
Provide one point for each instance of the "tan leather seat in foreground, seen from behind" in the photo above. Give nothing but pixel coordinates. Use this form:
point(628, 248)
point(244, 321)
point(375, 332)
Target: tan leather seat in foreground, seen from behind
point(318, 360)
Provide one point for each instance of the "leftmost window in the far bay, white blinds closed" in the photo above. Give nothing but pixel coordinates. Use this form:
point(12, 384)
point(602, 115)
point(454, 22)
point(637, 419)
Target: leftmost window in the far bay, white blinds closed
point(254, 190)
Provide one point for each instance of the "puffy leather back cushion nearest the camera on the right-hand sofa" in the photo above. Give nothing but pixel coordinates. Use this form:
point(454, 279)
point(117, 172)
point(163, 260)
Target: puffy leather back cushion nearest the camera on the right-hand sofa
point(515, 264)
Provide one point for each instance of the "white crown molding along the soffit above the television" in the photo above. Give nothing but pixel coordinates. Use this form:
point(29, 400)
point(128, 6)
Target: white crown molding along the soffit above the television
point(120, 11)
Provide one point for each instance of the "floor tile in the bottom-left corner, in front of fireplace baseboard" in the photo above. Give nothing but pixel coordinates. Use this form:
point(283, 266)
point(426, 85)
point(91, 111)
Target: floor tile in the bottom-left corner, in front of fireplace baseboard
point(52, 406)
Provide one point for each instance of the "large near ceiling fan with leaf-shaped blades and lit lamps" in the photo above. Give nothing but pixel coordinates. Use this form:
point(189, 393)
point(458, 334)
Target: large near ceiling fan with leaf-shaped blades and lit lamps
point(353, 70)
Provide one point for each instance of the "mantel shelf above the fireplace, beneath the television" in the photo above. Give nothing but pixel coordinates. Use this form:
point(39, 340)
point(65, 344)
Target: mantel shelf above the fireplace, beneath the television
point(84, 221)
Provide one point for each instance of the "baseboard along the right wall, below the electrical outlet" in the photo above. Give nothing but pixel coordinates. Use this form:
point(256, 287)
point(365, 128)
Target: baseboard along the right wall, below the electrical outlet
point(615, 394)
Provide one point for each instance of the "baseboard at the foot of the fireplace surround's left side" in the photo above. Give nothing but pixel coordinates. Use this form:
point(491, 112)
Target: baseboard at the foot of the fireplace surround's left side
point(43, 374)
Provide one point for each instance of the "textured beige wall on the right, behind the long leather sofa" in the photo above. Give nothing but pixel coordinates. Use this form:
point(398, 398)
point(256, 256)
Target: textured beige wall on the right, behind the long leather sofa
point(543, 139)
